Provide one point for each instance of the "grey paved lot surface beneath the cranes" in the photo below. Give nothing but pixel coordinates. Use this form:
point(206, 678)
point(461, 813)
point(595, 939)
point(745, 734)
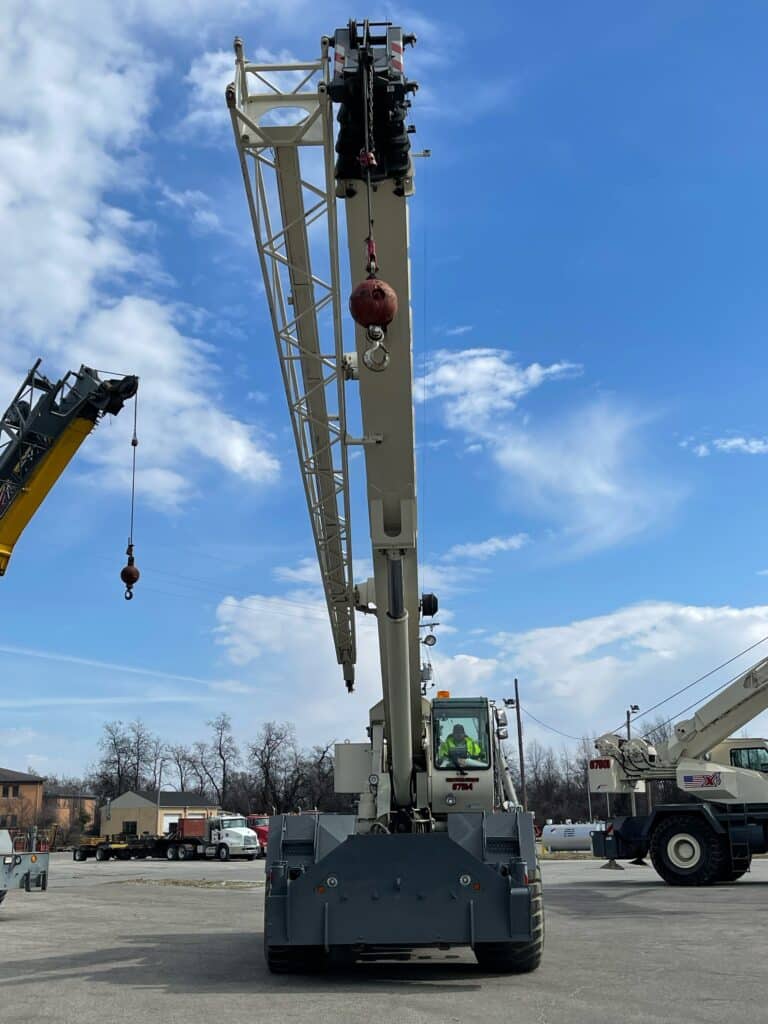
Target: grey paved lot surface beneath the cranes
point(173, 943)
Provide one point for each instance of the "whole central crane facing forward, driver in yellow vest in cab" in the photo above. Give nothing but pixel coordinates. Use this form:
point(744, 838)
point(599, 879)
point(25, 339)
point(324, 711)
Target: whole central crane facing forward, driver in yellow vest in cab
point(439, 854)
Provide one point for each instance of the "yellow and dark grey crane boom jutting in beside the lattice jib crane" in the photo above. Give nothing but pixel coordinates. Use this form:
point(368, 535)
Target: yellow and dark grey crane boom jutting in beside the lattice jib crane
point(40, 433)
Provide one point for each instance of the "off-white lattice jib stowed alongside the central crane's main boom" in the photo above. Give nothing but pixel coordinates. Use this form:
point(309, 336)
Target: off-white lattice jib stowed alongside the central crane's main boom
point(286, 203)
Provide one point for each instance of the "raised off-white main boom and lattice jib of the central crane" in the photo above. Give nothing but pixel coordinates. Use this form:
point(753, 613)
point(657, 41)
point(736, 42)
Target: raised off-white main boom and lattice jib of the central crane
point(277, 163)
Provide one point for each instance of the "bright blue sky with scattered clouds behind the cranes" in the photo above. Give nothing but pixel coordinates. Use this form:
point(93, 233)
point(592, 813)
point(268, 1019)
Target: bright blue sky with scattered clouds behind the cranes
point(589, 330)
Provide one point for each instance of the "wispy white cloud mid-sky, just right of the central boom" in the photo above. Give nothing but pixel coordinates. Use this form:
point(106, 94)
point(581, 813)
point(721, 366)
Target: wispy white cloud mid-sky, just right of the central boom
point(583, 472)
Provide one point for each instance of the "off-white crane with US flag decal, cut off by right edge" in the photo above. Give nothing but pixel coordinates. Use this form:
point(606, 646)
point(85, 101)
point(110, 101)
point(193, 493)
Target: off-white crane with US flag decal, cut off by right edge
point(710, 840)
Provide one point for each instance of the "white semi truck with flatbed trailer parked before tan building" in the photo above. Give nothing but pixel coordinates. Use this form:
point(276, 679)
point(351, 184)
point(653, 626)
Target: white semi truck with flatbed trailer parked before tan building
point(222, 838)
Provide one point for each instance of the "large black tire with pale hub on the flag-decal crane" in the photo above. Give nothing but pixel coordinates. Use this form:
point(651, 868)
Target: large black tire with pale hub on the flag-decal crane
point(687, 852)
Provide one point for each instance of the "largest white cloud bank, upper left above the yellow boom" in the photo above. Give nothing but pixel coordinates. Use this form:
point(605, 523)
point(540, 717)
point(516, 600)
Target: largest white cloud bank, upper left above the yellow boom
point(77, 89)
